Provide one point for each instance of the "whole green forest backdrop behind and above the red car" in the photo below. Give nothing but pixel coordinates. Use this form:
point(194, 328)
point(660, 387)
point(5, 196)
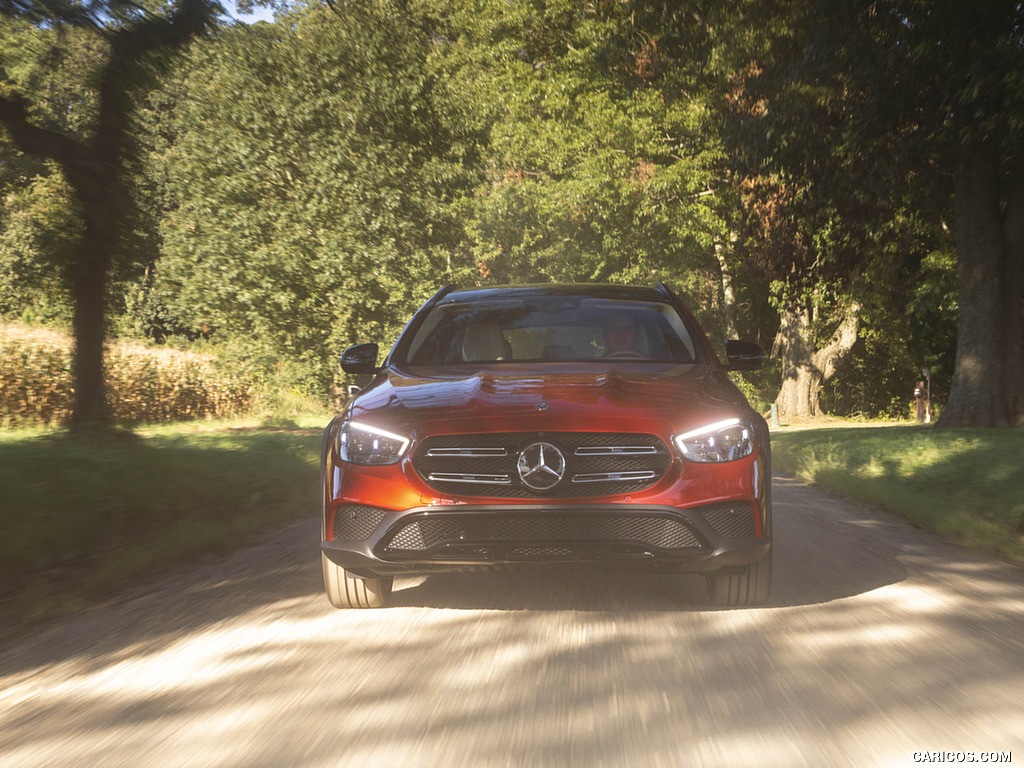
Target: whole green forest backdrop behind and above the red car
point(841, 182)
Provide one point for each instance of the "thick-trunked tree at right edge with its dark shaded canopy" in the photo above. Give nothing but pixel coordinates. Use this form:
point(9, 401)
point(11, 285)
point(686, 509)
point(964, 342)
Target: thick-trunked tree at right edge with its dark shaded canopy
point(927, 106)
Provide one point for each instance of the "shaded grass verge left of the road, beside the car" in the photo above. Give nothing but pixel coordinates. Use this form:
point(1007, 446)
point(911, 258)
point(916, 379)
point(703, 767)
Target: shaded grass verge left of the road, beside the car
point(78, 520)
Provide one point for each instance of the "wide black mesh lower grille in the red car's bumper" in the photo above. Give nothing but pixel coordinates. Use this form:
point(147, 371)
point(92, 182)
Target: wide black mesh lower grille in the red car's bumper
point(548, 535)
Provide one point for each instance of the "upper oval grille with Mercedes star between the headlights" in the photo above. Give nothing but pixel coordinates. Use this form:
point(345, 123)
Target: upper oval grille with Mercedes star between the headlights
point(497, 465)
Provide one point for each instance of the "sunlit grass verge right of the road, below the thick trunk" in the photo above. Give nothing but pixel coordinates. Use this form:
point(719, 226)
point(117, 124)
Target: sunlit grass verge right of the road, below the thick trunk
point(966, 485)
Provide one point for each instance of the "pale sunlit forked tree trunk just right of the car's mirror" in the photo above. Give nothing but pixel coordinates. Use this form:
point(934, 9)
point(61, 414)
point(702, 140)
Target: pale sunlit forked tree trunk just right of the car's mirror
point(804, 369)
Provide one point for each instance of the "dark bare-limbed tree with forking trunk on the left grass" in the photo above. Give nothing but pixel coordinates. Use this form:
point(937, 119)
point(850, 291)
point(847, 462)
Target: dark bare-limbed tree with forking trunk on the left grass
point(135, 39)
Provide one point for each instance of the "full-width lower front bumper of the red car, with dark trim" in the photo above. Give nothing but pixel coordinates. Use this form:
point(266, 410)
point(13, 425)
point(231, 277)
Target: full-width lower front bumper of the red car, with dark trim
point(370, 542)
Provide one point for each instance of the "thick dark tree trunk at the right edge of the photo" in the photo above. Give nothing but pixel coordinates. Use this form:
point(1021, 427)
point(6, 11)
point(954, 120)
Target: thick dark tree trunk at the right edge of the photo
point(989, 382)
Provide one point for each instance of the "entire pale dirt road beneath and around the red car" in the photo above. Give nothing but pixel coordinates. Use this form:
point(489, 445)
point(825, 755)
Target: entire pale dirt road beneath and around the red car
point(880, 643)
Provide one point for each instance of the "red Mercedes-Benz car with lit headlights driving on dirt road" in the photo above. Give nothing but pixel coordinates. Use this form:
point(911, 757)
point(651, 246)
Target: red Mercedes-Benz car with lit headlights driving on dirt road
point(526, 426)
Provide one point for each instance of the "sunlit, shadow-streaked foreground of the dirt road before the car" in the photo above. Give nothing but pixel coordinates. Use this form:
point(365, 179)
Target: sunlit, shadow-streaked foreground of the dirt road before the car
point(401, 687)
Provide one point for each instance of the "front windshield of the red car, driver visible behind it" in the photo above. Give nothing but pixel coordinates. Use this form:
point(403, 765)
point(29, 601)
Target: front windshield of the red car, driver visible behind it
point(549, 329)
